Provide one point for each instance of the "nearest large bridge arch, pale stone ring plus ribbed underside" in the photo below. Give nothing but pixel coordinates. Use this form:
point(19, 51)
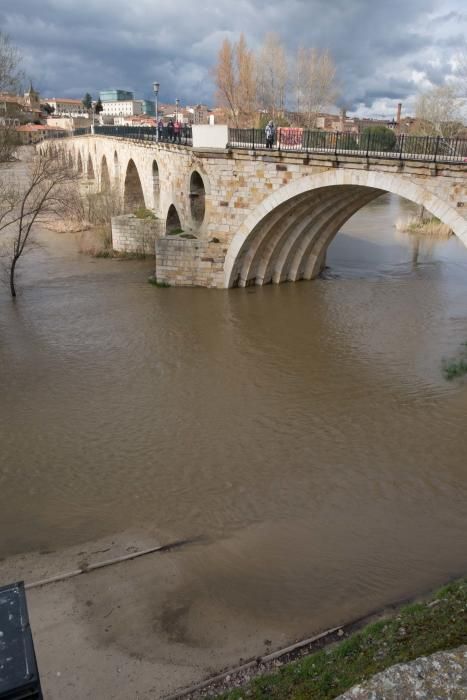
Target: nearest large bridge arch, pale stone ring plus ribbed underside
point(287, 235)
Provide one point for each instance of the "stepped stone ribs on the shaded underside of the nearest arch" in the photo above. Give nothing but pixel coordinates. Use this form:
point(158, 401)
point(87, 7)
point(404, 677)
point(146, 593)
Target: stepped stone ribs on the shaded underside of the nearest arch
point(290, 243)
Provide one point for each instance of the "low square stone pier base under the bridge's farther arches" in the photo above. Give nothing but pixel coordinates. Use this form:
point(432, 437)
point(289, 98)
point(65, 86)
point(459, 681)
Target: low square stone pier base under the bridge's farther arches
point(133, 235)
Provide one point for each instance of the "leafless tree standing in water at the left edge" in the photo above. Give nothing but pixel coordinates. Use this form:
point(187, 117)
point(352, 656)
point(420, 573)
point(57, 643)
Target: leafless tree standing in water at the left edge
point(44, 190)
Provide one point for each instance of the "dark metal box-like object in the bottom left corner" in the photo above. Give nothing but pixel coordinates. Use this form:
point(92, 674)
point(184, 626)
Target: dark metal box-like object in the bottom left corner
point(19, 677)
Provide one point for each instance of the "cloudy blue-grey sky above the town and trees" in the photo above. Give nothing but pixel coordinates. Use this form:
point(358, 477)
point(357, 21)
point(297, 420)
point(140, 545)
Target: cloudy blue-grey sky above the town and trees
point(385, 50)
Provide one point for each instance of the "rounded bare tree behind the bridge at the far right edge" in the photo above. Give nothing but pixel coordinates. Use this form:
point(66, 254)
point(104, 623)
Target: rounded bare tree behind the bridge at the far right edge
point(438, 112)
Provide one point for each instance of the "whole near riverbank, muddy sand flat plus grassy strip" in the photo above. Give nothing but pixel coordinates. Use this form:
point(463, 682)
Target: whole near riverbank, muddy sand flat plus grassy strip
point(119, 632)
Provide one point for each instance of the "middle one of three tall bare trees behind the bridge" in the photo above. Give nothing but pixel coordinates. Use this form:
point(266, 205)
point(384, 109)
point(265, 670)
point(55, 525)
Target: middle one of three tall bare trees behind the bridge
point(272, 74)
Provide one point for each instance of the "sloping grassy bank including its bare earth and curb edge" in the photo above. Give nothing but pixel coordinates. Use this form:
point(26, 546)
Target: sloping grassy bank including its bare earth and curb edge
point(436, 623)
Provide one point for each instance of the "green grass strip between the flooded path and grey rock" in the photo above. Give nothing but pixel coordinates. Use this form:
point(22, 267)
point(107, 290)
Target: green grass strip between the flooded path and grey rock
point(416, 630)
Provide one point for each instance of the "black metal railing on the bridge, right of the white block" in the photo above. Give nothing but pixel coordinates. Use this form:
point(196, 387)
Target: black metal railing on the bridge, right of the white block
point(401, 147)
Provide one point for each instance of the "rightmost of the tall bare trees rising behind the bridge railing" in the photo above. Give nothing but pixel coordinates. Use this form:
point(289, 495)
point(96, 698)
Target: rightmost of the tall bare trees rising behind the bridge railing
point(315, 83)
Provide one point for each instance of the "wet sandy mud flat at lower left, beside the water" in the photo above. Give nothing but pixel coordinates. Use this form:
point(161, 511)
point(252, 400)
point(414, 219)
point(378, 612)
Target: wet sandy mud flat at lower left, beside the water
point(125, 631)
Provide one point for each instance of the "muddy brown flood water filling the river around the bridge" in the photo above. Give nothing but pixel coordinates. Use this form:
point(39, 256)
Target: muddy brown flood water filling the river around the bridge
point(305, 430)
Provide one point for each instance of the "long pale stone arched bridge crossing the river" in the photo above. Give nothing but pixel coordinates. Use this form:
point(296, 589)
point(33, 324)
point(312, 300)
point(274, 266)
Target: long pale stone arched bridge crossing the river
point(233, 217)
